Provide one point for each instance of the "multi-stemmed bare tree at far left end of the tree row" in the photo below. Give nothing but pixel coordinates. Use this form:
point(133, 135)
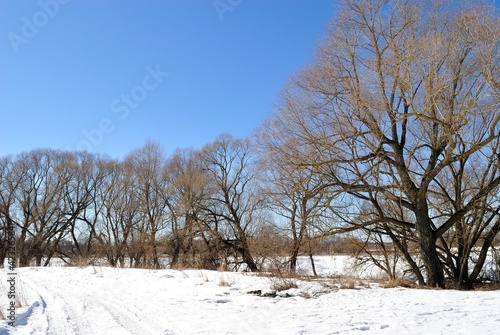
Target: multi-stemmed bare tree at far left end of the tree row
point(40, 177)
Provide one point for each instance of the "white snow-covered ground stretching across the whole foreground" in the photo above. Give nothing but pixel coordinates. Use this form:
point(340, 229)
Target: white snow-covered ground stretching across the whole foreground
point(110, 301)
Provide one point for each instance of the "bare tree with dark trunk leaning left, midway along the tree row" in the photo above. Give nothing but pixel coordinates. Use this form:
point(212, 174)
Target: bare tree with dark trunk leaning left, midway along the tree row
point(230, 207)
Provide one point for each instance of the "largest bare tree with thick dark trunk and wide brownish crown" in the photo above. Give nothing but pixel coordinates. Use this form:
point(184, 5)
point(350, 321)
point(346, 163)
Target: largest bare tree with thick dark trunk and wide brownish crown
point(399, 92)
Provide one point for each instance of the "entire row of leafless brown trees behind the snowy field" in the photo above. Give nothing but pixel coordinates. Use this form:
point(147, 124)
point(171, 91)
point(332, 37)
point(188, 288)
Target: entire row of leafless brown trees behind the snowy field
point(391, 133)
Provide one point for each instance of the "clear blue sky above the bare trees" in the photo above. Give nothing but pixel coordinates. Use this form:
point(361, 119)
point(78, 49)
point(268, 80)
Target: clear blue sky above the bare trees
point(92, 74)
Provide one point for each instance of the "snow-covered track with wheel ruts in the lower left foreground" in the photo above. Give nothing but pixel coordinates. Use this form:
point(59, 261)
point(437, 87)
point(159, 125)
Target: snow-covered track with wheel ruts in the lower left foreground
point(62, 305)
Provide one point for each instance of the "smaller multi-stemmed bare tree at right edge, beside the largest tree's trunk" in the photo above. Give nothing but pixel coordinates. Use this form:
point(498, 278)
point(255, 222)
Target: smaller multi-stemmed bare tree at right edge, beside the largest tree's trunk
point(469, 240)
